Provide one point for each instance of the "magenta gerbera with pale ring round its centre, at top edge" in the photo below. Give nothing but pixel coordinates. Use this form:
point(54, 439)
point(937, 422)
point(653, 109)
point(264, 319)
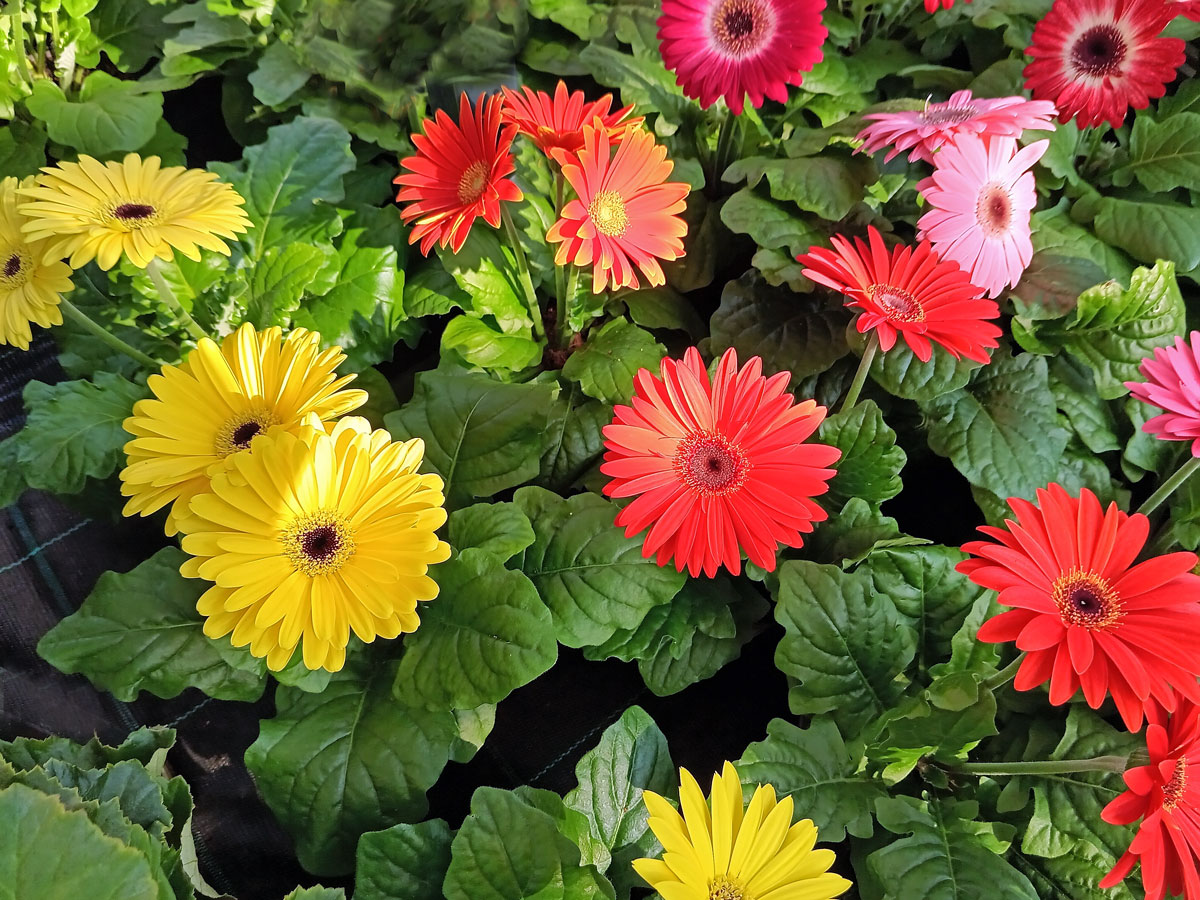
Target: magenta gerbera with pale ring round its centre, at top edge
point(736, 47)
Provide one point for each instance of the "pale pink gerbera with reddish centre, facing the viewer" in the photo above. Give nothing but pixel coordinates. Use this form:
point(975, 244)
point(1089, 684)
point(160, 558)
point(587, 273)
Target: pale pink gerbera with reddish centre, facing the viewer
point(981, 196)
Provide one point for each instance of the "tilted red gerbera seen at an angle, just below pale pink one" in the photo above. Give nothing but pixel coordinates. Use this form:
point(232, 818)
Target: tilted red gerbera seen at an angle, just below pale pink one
point(908, 292)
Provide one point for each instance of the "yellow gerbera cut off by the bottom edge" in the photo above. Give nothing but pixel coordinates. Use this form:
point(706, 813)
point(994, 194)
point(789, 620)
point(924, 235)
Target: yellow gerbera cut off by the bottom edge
point(723, 854)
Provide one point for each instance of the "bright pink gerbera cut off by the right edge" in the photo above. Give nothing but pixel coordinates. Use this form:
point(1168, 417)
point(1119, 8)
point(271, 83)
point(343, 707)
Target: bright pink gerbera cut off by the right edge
point(1173, 385)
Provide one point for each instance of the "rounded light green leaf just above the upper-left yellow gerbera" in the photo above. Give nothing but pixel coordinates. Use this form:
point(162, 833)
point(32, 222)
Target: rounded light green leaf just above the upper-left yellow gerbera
point(109, 117)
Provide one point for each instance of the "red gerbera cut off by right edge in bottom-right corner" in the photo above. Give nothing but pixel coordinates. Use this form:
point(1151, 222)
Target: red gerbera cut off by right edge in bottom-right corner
point(1166, 795)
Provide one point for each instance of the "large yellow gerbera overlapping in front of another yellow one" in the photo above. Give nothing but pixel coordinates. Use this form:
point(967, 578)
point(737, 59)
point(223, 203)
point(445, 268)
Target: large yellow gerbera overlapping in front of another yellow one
point(316, 535)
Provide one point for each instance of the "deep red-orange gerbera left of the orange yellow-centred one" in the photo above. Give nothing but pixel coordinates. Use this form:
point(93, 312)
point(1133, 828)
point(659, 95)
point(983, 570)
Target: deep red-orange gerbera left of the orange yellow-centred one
point(458, 175)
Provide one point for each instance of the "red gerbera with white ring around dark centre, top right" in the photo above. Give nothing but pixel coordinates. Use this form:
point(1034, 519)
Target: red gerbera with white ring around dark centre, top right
point(1096, 58)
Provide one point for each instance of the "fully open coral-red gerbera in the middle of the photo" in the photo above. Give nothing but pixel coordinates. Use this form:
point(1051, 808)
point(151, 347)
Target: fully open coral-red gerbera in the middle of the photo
point(717, 467)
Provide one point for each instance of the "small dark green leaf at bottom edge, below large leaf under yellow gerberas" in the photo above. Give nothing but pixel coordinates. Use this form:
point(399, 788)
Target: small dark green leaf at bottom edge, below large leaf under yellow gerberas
point(406, 862)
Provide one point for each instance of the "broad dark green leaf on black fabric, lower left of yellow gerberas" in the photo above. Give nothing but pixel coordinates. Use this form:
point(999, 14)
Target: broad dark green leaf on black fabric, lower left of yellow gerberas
point(141, 632)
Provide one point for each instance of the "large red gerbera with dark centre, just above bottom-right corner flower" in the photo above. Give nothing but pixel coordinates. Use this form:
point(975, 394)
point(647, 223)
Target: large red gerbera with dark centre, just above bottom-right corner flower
point(1084, 615)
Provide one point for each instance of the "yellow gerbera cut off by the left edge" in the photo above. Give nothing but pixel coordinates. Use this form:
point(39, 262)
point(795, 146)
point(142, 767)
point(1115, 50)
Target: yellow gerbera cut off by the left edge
point(31, 290)
